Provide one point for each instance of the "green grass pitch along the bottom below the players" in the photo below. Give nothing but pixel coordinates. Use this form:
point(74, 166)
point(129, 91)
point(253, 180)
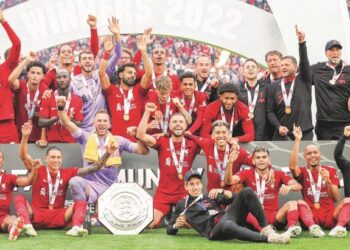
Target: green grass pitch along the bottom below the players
point(158, 239)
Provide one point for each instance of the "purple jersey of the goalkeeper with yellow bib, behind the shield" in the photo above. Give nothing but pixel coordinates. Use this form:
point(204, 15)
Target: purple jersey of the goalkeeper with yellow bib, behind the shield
point(107, 175)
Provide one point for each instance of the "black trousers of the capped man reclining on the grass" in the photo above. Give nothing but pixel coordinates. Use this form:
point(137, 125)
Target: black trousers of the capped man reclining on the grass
point(232, 225)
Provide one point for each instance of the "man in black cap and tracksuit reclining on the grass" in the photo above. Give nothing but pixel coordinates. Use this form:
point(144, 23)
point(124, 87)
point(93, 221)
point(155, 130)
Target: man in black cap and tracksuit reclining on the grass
point(206, 216)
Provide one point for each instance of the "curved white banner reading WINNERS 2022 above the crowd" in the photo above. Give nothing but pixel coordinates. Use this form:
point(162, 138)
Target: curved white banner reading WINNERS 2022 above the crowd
point(230, 24)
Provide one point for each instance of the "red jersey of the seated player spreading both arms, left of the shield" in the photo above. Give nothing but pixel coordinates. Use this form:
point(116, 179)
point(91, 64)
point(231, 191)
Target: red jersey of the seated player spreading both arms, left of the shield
point(40, 188)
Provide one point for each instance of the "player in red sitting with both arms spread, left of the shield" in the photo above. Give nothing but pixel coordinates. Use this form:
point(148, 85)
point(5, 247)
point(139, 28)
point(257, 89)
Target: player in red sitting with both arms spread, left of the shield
point(49, 191)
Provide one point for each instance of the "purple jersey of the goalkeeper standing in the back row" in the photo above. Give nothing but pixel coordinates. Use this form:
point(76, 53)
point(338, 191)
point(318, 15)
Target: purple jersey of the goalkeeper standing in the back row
point(90, 92)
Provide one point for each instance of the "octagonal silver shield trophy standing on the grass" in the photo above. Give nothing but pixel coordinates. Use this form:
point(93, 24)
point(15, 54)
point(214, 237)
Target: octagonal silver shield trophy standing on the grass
point(125, 209)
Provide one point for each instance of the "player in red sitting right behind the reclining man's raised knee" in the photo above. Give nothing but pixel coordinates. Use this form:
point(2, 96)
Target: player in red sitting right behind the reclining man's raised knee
point(268, 193)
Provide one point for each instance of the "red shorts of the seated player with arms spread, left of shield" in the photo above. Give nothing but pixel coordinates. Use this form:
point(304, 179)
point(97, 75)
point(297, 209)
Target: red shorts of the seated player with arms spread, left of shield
point(48, 218)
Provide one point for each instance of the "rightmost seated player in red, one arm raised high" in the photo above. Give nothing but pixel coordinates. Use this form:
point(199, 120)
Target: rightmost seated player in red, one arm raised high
point(320, 192)
